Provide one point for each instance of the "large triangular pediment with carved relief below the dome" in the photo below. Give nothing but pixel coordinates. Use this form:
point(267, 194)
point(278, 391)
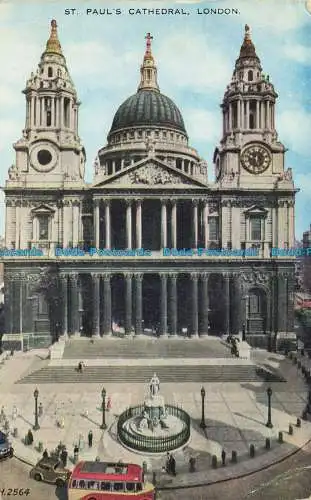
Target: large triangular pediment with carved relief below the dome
point(149, 172)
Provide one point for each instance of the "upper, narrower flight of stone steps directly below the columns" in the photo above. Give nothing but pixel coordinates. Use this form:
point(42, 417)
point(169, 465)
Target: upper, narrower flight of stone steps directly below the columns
point(145, 348)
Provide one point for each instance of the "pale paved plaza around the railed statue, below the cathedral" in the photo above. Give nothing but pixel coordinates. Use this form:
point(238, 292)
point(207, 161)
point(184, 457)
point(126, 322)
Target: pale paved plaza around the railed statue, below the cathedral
point(236, 414)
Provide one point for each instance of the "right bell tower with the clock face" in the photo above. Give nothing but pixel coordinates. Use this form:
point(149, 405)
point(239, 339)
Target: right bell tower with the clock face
point(249, 153)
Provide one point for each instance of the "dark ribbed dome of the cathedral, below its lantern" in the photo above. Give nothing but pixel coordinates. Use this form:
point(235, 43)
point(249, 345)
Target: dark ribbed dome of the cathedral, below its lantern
point(150, 108)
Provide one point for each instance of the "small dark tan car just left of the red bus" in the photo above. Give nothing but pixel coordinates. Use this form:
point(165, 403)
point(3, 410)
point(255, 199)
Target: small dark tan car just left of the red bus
point(50, 470)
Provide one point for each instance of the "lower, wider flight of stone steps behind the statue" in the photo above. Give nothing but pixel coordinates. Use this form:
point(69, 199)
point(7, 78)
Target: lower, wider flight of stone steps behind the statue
point(167, 374)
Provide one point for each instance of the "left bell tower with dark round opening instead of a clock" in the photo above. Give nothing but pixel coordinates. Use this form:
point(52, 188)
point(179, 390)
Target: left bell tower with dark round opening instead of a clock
point(50, 150)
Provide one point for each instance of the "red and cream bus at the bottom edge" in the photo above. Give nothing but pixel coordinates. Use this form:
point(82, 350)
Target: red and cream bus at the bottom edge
point(109, 481)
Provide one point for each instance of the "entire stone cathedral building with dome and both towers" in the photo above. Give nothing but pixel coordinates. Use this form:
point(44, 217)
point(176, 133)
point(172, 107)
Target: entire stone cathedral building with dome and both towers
point(150, 191)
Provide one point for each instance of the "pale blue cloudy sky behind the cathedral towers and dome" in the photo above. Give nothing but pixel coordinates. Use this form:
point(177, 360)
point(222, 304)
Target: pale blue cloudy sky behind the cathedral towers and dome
point(195, 55)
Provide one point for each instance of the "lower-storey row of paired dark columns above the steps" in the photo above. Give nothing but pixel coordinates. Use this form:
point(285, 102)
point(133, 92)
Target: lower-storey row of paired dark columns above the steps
point(199, 298)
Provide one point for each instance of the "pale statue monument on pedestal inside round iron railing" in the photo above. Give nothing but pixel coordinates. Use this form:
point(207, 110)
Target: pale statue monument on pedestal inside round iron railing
point(154, 427)
